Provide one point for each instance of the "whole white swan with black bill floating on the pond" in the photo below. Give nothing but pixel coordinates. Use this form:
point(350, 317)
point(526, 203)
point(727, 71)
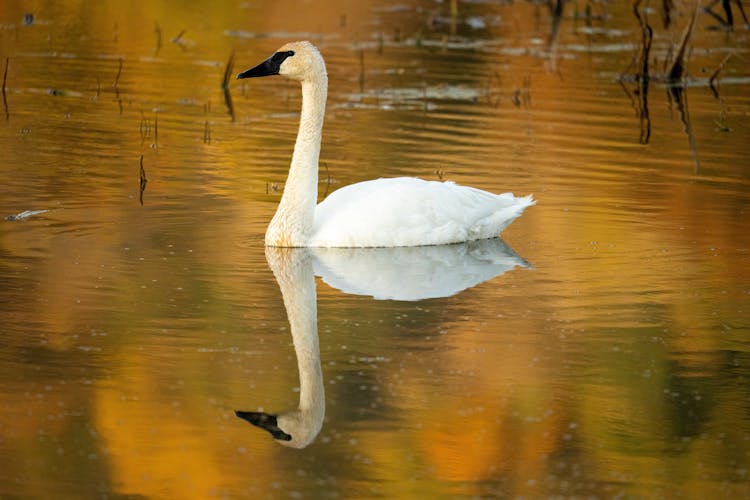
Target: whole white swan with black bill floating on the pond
point(393, 212)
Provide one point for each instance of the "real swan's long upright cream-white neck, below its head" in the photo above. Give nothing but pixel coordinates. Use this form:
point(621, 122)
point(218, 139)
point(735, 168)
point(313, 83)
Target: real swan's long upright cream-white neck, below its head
point(292, 224)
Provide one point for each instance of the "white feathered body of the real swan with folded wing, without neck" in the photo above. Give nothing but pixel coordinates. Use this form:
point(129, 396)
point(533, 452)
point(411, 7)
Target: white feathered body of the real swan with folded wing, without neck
point(408, 211)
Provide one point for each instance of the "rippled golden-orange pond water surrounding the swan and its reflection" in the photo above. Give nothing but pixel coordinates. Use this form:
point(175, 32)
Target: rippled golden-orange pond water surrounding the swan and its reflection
point(609, 357)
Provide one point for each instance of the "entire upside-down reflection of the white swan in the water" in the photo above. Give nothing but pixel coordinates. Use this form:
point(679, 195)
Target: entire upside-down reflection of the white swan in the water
point(412, 273)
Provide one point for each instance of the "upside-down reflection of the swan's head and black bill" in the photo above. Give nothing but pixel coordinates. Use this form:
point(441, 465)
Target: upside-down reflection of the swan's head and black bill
point(295, 429)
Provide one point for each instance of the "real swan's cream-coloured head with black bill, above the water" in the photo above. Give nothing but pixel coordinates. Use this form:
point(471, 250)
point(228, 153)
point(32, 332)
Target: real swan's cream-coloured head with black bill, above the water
point(296, 60)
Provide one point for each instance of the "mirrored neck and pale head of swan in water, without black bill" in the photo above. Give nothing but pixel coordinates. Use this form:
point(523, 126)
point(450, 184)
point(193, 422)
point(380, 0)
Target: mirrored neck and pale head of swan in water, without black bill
point(293, 270)
